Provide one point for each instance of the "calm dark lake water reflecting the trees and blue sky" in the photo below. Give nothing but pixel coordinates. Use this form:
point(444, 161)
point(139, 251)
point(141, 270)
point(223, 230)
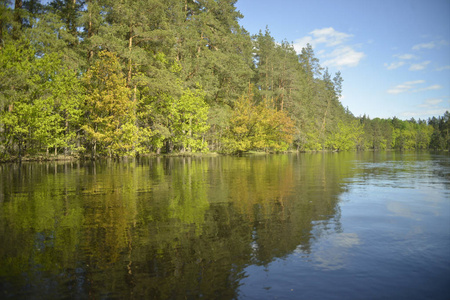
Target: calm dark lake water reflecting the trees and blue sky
point(307, 226)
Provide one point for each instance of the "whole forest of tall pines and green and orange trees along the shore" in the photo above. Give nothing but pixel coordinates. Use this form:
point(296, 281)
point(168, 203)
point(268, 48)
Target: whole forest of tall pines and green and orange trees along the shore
point(119, 78)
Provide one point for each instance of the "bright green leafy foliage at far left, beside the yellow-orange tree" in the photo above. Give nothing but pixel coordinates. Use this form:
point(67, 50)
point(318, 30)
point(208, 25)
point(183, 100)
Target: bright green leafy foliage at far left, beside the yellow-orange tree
point(41, 102)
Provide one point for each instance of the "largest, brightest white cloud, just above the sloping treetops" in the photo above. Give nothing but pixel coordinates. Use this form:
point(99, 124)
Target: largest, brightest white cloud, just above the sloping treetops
point(339, 54)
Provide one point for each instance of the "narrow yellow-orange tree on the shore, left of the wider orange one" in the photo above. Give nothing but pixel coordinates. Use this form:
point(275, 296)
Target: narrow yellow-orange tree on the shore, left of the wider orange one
point(110, 123)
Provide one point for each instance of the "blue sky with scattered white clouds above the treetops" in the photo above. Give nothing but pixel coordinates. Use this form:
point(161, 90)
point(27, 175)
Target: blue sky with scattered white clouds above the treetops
point(394, 55)
